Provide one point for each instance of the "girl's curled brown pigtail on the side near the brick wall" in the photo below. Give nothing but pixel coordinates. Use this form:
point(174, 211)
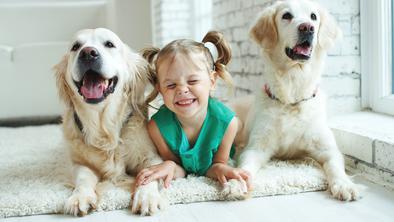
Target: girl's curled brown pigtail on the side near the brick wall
point(224, 55)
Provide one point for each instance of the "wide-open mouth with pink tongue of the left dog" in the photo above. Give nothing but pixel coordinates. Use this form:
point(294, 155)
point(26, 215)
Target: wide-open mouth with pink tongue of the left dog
point(94, 88)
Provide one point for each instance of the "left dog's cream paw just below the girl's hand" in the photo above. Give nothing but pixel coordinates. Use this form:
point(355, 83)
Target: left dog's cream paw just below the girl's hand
point(147, 200)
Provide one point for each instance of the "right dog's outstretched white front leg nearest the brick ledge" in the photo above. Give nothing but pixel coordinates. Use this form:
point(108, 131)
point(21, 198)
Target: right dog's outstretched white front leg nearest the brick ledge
point(329, 156)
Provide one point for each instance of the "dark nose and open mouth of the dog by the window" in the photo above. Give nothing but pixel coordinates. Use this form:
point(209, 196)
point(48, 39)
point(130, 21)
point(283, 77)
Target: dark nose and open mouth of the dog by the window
point(303, 49)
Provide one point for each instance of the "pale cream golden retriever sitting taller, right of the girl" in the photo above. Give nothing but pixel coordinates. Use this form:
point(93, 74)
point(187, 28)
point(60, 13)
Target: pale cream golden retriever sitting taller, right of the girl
point(286, 119)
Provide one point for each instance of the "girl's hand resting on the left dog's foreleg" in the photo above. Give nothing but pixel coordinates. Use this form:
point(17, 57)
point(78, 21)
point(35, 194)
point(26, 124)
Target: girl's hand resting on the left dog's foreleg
point(168, 170)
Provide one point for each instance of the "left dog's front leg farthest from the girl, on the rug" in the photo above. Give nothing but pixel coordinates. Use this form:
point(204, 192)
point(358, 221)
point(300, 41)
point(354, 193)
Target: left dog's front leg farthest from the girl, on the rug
point(84, 195)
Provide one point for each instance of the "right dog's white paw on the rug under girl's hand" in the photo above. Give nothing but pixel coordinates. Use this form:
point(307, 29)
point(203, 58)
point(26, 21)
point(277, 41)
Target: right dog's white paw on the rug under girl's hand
point(235, 190)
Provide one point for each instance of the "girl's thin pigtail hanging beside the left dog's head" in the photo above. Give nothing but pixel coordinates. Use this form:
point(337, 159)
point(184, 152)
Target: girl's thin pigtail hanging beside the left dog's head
point(150, 54)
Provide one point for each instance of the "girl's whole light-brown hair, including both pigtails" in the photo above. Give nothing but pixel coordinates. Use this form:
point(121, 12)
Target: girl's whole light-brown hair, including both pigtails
point(187, 46)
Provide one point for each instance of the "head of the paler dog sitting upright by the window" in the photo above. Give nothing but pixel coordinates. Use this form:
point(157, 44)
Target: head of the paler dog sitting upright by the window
point(295, 30)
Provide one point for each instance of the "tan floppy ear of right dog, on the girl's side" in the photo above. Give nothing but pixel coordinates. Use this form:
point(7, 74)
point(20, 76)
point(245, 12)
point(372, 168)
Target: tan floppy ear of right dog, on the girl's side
point(264, 30)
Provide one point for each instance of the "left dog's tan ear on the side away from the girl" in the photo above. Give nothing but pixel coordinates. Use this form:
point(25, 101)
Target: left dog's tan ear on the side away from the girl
point(63, 88)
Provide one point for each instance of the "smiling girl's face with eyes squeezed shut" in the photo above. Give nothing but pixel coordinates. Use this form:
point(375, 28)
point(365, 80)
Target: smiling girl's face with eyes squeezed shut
point(185, 85)
